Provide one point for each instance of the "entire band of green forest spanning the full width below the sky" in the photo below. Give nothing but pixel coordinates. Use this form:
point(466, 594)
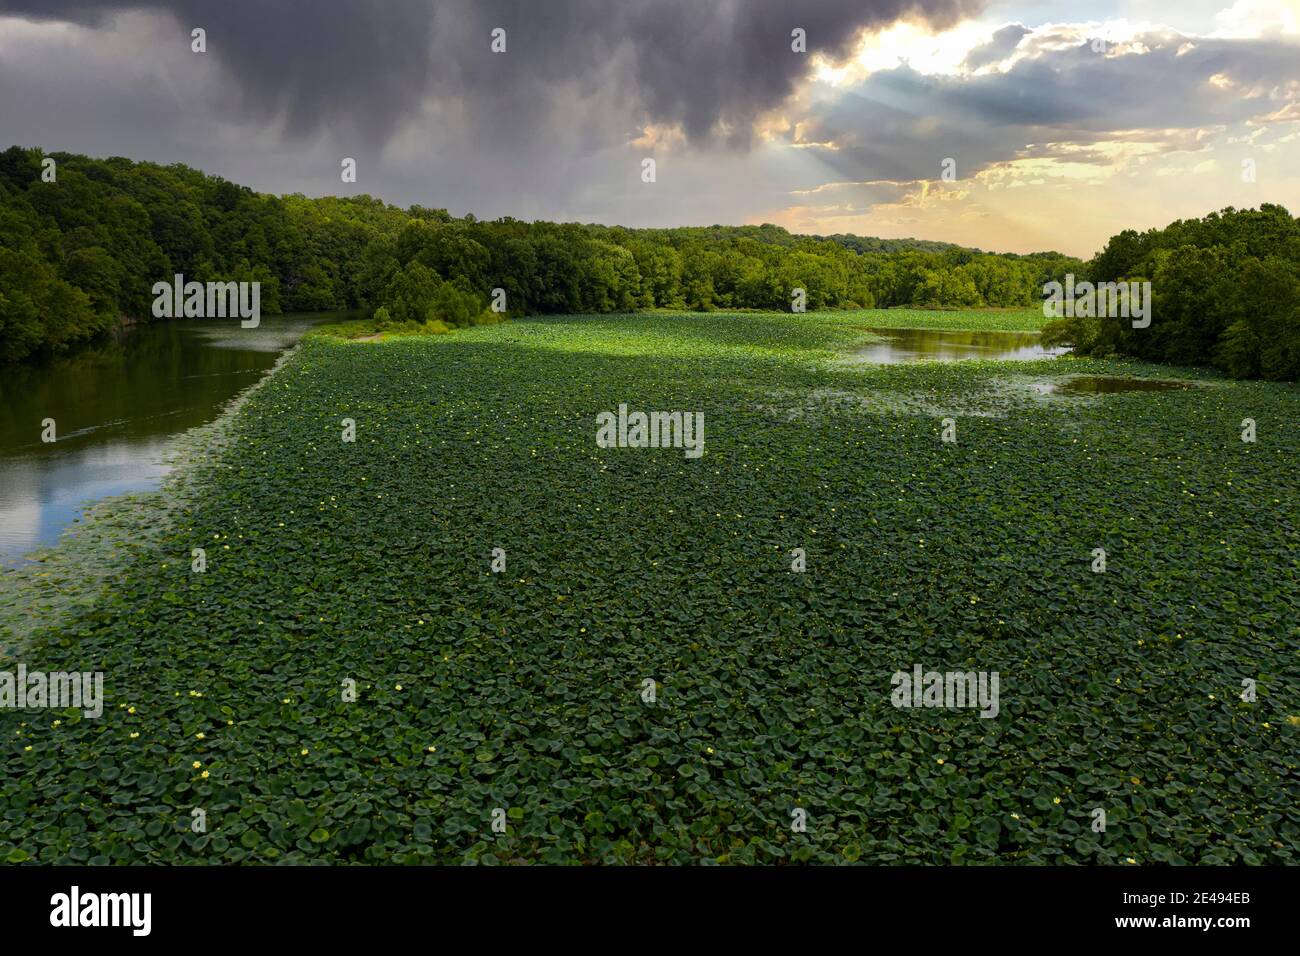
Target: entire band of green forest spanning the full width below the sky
point(81, 253)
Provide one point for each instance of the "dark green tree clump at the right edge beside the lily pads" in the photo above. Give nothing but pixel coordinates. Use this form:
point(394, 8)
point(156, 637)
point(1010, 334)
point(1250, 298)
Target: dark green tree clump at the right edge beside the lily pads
point(1225, 289)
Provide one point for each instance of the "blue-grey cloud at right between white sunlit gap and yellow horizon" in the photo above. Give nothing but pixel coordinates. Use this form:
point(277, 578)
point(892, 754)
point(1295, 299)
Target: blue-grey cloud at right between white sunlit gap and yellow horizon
point(900, 124)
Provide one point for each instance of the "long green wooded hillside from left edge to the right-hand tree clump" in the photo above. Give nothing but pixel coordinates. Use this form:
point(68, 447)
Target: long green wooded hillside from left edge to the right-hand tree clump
point(84, 252)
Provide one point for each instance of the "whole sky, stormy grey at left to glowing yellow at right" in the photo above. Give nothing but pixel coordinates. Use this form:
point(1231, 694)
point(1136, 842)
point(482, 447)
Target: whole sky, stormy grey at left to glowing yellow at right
point(1004, 126)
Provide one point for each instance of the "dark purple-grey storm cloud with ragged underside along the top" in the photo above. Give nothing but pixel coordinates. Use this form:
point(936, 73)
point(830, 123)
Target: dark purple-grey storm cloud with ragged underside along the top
point(707, 66)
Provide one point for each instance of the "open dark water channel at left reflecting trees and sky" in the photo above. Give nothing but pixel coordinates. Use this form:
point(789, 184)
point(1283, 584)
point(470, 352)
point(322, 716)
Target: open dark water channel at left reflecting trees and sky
point(116, 408)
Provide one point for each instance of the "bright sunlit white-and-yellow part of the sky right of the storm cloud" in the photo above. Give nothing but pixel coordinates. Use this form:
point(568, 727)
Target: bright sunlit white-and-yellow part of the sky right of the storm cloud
point(1045, 132)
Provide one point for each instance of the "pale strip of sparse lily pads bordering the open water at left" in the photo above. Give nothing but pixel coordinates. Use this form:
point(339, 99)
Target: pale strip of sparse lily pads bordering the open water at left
point(68, 578)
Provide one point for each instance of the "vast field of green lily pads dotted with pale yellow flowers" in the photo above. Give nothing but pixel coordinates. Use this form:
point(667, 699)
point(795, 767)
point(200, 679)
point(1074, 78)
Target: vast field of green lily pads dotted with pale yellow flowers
point(436, 621)
